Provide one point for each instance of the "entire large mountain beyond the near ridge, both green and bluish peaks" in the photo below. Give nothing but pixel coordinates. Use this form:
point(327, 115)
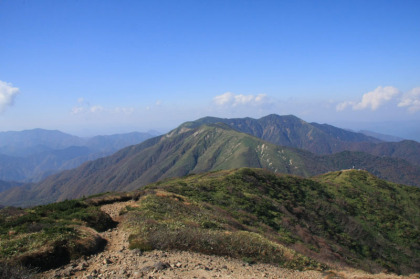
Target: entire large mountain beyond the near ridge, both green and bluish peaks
point(282, 144)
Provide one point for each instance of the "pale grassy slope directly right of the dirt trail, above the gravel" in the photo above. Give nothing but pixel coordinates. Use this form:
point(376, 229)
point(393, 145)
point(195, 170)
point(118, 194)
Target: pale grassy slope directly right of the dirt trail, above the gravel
point(162, 220)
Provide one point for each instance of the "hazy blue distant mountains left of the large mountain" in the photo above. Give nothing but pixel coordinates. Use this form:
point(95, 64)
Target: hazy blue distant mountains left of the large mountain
point(31, 155)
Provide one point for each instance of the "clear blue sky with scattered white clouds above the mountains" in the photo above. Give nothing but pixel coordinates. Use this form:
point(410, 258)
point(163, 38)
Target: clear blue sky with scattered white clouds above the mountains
point(90, 67)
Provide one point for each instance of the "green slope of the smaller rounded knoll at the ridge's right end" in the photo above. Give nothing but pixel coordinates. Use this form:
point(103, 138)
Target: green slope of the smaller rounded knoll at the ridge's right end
point(382, 213)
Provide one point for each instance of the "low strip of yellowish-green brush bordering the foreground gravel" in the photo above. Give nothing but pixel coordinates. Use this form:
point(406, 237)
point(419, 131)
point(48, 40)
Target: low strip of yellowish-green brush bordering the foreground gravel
point(241, 244)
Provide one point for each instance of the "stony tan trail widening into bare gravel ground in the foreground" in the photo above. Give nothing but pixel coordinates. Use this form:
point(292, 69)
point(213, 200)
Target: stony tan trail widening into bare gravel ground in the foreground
point(117, 261)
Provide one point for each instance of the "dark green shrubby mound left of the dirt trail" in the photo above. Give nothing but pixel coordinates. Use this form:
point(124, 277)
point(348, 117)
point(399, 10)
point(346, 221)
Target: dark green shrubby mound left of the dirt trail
point(50, 235)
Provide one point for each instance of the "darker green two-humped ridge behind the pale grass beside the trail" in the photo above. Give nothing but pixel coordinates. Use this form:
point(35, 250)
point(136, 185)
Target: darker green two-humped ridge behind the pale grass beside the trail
point(348, 216)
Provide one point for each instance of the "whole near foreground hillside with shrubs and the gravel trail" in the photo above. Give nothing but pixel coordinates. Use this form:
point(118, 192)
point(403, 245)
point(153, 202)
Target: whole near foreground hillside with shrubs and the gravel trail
point(333, 222)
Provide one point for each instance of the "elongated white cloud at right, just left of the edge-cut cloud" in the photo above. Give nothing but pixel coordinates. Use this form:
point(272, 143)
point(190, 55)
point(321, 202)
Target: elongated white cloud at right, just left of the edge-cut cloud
point(373, 99)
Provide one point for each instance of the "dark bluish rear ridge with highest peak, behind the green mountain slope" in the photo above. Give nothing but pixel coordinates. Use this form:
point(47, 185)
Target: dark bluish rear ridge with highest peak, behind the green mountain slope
point(317, 138)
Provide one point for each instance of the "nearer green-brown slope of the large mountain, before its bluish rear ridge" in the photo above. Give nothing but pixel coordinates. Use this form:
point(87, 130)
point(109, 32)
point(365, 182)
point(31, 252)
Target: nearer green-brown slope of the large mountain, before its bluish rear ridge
point(194, 150)
